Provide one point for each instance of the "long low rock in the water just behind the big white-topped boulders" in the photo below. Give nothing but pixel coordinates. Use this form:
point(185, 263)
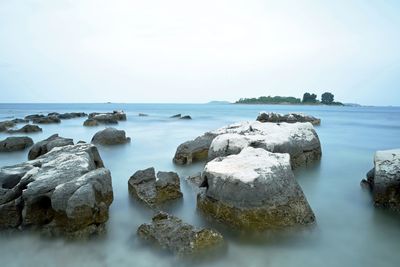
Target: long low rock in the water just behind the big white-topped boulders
point(289, 118)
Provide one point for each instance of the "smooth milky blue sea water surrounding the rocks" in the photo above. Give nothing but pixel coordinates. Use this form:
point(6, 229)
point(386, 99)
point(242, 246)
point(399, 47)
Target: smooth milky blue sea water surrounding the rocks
point(349, 231)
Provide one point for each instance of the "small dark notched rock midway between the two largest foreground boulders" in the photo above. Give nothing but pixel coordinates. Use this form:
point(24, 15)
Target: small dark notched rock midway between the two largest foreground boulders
point(153, 190)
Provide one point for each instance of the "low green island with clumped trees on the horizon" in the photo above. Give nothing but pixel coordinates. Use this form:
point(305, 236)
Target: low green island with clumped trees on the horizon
point(327, 98)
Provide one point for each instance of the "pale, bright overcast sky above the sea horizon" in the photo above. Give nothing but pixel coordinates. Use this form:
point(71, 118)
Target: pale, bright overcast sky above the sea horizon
point(173, 51)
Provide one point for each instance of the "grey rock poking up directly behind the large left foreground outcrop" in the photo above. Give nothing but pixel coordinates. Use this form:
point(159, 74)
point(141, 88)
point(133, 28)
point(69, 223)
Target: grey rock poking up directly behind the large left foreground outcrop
point(44, 146)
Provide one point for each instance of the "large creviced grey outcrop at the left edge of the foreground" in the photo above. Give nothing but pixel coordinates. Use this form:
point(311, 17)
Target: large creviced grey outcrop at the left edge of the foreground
point(65, 192)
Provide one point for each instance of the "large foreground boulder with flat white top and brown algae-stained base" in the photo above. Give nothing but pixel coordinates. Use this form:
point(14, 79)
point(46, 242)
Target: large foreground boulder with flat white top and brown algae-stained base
point(254, 189)
